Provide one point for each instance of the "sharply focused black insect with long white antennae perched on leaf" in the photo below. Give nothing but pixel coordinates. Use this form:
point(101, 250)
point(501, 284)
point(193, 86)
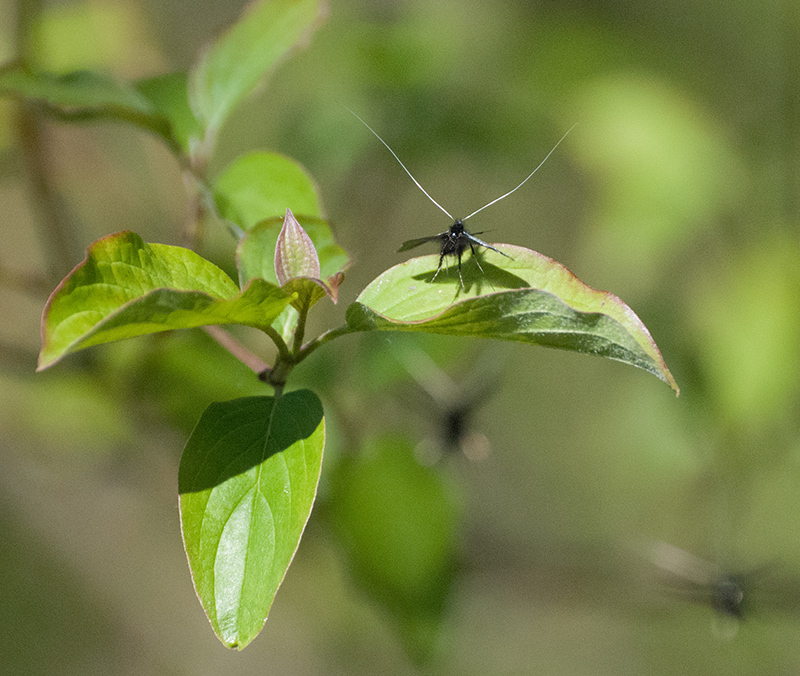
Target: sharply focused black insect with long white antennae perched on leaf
point(455, 240)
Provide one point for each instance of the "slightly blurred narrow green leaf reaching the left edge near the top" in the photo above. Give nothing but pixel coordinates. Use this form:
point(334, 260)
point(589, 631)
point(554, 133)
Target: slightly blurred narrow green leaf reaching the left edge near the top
point(86, 95)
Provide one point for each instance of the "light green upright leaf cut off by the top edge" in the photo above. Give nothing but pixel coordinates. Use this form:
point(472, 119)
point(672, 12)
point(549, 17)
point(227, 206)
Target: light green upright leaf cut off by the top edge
point(234, 65)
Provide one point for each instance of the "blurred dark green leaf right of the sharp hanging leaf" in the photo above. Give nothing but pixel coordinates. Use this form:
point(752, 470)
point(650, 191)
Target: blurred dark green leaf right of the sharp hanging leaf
point(398, 523)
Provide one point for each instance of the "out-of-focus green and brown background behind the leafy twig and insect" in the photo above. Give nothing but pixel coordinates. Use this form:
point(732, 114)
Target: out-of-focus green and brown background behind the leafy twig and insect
point(679, 191)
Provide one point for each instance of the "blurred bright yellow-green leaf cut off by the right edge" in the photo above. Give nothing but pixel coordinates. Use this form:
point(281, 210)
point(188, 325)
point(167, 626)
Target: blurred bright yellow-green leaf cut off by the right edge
point(751, 367)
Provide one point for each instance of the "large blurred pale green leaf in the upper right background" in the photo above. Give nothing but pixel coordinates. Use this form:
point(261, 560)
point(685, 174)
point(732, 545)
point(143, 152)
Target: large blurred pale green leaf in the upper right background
point(664, 174)
